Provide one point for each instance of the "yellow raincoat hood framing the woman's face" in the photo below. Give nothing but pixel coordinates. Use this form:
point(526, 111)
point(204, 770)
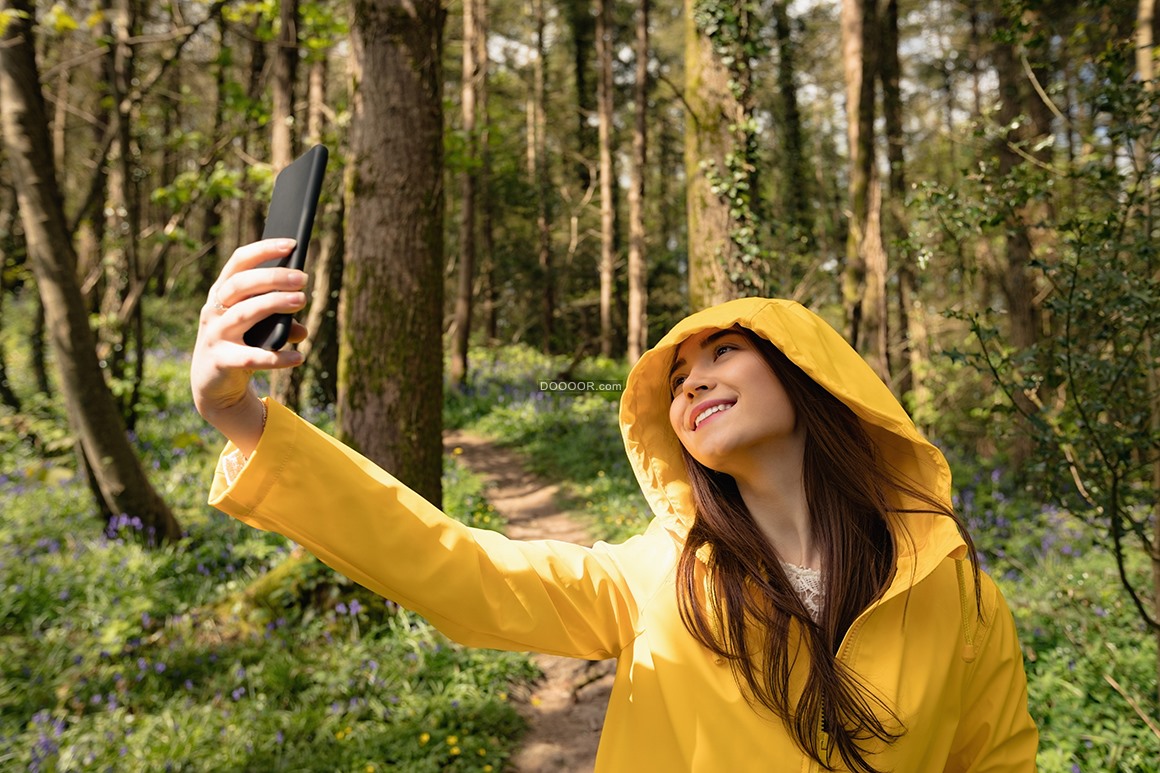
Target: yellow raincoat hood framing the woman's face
point(820, 351)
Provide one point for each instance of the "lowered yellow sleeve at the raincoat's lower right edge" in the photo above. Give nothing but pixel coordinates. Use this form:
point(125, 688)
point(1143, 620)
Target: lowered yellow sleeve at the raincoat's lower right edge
point(997, 734)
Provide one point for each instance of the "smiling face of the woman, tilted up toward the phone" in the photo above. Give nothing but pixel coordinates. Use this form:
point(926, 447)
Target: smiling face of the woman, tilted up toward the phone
point(729, 409)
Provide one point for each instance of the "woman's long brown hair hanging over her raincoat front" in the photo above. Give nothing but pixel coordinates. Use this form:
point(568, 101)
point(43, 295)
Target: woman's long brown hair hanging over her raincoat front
point(756, 619)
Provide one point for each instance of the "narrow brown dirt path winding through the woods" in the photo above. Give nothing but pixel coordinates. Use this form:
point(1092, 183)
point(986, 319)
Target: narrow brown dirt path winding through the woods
point(565, 711)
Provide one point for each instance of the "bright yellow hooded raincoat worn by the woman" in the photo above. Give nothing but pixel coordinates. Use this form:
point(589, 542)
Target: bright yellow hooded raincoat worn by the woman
point(958, 683)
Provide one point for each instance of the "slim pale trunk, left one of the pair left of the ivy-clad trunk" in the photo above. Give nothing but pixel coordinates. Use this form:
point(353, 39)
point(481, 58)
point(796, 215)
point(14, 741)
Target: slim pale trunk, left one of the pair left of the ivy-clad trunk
point(607, 174)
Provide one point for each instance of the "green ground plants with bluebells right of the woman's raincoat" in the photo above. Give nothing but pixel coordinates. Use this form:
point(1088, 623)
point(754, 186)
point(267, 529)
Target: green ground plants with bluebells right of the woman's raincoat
point(1089, 656)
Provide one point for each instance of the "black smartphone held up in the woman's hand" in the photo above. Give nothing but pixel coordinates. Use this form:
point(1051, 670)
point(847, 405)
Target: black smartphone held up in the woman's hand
point(292, 214)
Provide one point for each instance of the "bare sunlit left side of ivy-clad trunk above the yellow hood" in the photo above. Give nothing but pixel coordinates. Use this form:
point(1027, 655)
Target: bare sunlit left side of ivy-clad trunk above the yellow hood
point(712, 109)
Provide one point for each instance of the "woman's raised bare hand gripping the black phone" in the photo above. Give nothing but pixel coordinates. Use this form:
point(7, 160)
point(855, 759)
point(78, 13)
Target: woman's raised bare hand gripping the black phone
point(223, 364)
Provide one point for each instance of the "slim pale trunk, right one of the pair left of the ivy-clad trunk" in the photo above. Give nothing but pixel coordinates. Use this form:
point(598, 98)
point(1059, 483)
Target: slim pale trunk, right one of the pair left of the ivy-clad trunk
point(639, 273)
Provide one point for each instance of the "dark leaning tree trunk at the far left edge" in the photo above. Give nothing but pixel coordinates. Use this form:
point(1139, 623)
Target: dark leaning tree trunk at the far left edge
point(91, 409)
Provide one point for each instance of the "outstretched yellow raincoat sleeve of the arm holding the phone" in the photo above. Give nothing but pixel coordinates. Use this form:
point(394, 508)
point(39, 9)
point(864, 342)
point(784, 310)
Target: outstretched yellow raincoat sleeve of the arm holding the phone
point(477, 587)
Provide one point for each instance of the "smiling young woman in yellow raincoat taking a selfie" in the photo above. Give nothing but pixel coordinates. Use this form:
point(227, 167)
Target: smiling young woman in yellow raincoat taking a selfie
point(804, 599)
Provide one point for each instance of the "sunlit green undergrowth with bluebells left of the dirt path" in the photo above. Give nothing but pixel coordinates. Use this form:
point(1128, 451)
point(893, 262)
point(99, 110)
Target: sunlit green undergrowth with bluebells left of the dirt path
point(117, 658)
